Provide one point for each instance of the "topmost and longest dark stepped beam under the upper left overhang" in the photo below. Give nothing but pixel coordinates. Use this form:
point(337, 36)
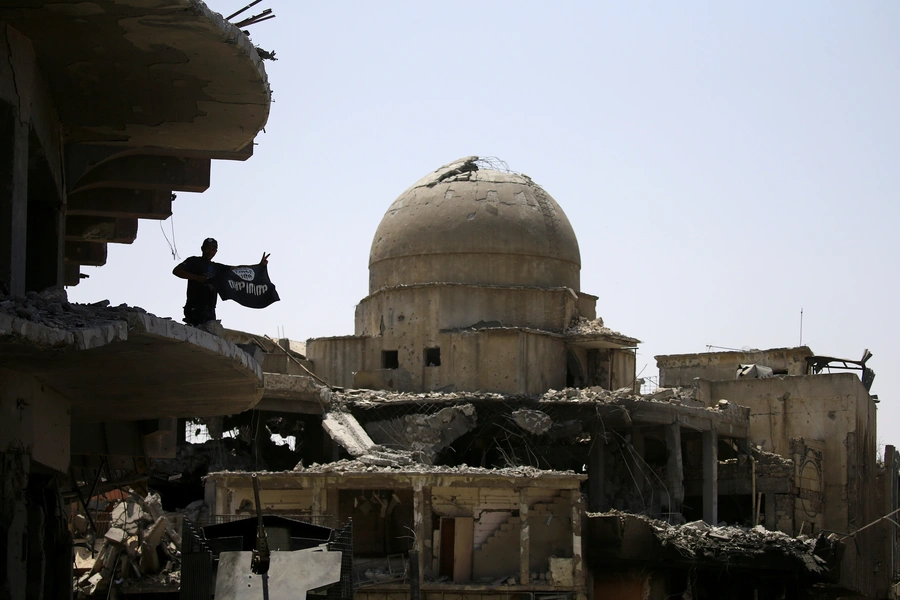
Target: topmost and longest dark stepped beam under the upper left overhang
point(148, 173)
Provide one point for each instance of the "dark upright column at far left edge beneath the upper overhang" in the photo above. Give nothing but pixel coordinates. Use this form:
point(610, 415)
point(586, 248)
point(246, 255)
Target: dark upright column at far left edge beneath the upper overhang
point(13, 198)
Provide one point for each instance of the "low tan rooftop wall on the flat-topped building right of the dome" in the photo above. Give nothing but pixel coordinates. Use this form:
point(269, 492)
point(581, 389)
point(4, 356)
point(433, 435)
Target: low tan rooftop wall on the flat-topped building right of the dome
point(679, 370)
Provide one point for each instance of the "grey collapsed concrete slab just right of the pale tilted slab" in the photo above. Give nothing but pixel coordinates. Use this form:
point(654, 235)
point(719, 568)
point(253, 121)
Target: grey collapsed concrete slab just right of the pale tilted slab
point(424, 434)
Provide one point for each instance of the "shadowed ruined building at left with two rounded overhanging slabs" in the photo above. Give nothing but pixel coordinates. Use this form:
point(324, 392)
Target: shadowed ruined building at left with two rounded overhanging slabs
point(107, 110)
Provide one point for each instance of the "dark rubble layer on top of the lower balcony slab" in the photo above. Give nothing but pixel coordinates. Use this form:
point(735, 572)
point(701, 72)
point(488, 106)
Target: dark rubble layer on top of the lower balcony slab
point(51, 308)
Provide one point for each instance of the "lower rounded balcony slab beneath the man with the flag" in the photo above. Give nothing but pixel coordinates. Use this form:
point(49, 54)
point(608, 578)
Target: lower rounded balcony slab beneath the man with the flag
point(142, 367)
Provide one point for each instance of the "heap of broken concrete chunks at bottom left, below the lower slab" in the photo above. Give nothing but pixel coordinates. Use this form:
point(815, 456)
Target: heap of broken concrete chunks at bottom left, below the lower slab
point(142, 547)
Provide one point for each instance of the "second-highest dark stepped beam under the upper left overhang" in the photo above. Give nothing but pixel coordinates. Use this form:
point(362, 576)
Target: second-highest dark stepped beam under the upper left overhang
point(123, 203)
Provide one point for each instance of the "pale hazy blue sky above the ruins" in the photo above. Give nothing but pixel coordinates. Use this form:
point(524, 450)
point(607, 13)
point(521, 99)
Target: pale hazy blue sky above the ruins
point(723, 164)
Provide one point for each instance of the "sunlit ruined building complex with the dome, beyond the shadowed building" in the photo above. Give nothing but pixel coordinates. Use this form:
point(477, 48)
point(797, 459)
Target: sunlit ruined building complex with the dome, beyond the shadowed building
point(483, 432)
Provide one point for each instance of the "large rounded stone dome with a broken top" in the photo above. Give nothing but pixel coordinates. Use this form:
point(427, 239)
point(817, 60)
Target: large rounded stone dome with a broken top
point(472, 225)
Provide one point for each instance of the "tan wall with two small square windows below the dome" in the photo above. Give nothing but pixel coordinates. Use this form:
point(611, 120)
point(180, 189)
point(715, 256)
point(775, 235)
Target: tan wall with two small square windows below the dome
point(496, 360)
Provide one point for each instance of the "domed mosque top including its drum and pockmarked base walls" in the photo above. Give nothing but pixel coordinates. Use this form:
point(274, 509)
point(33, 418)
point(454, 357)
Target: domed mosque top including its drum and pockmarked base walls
point(474, 284)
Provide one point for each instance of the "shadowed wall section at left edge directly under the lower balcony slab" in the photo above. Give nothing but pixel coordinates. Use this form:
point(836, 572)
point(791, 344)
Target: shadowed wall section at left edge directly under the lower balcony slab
point(34, 418)
